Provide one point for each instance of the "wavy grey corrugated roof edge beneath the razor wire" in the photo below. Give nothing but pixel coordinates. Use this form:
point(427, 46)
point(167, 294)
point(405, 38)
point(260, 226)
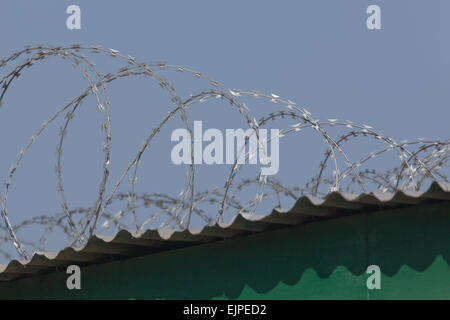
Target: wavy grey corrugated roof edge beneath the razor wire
point(242, 223)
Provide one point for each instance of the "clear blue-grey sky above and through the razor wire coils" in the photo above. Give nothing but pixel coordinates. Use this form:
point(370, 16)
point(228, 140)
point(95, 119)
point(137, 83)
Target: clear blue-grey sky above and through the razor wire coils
point(317, 53)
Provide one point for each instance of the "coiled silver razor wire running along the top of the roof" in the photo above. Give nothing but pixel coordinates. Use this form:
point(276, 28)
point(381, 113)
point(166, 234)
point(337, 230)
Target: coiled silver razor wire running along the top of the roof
point(420, 161)
